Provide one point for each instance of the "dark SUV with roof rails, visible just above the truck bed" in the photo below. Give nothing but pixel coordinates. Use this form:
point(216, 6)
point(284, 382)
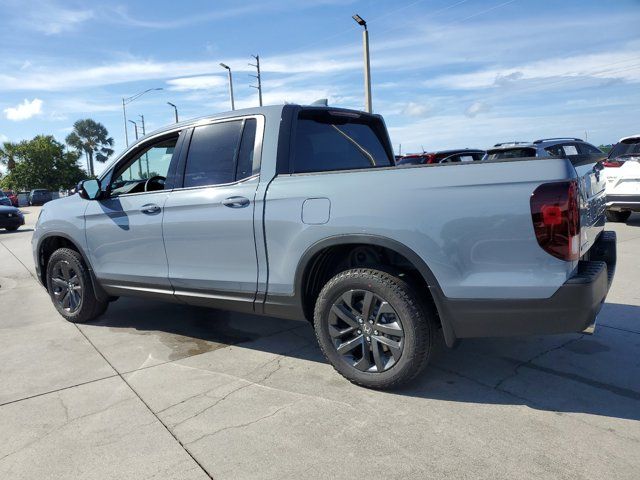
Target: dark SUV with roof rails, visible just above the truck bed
point(545, 147)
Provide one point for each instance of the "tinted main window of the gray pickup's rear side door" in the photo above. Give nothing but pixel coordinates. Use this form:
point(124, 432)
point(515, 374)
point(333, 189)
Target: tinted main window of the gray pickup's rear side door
point(212, 154)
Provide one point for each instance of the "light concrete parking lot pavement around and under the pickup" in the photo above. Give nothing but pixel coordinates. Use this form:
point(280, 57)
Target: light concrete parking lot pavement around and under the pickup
point(156, 390)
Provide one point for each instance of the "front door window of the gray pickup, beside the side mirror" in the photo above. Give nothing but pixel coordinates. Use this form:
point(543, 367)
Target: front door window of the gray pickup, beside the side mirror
point(152, 162)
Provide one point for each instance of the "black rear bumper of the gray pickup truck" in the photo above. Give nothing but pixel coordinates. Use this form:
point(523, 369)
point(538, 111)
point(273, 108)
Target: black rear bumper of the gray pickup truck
point(573, 308)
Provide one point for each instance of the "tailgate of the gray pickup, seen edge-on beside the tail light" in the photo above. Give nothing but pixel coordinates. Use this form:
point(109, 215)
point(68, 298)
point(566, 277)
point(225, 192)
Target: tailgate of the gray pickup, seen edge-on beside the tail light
point(592, 183)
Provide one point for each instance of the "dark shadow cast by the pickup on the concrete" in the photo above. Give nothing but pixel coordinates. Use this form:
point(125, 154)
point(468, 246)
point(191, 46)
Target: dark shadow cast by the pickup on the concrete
point(586, 378)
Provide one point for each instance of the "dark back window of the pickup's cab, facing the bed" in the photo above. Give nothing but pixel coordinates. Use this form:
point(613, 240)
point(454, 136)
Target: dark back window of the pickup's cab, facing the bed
point(325, 141)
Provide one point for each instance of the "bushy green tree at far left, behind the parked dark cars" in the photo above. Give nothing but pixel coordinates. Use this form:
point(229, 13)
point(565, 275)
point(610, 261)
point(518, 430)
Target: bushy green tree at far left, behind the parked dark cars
point(43, 163)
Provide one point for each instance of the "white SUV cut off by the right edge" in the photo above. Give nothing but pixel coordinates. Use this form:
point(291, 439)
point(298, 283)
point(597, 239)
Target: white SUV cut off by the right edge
point(622, 171)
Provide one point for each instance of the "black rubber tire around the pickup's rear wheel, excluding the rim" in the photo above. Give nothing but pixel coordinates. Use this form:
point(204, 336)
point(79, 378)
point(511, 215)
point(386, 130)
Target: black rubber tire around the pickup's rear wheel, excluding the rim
point(409, 316)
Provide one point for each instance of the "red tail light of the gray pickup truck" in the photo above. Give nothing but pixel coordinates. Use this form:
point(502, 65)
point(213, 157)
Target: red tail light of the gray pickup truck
point(555, 212)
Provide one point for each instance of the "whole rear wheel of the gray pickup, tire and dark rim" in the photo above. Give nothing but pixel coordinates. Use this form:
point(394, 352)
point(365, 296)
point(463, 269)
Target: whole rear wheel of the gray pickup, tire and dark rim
point(373, 328)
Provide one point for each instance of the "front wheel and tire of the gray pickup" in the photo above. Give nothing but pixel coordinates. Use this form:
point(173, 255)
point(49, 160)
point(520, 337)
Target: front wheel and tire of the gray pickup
point(70, 287)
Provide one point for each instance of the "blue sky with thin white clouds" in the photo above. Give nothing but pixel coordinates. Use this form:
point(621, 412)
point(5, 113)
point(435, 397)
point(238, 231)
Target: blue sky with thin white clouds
point(446, 73)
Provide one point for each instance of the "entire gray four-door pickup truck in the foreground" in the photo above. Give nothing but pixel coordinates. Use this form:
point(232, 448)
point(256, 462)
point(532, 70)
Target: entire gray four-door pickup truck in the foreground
point(300, 212)
